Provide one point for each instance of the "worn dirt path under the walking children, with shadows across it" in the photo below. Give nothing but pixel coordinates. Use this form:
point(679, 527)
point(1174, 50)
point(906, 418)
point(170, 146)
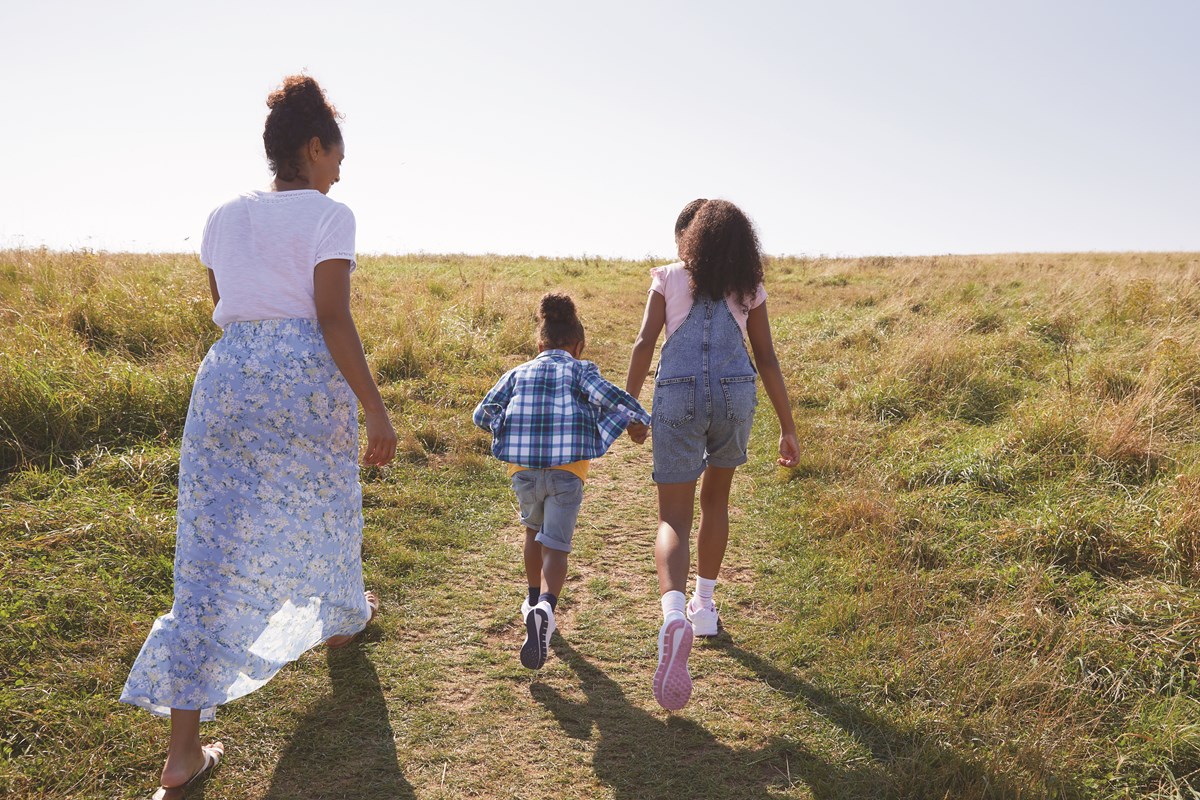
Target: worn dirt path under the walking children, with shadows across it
point(443, 708)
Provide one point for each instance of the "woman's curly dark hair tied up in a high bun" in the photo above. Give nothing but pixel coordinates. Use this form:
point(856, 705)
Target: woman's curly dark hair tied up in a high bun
point(299, 112)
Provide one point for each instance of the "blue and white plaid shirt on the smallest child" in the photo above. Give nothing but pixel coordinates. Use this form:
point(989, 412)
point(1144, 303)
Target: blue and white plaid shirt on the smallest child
point(554, 411)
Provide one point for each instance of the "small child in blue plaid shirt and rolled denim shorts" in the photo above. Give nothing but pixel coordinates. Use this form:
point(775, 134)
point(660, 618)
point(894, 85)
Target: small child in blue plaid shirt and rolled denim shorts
point(549, 418)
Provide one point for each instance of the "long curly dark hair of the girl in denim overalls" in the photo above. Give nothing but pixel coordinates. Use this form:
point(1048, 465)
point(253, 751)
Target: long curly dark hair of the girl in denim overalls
point(721, 250)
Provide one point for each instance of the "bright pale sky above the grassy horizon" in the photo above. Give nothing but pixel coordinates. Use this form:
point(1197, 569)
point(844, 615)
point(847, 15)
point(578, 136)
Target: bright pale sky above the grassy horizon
point(567, 129)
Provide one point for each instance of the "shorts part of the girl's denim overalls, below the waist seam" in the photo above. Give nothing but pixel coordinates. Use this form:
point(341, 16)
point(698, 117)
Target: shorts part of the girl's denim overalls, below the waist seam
point(692, 432)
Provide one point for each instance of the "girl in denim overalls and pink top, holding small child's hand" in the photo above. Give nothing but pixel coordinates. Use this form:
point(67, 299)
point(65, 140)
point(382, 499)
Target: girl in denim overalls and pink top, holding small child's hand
point(705, 398)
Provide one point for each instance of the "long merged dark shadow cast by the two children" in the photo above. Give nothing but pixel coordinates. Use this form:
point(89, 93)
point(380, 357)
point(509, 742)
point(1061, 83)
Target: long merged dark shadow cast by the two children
point(645, 757)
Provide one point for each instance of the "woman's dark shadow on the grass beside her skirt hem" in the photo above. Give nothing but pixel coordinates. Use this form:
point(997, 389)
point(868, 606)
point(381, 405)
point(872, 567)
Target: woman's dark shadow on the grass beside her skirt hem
point(345, 747)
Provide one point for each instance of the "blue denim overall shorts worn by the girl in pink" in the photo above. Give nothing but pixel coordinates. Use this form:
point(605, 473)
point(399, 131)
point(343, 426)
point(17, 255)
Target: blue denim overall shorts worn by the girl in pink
point(705, 395)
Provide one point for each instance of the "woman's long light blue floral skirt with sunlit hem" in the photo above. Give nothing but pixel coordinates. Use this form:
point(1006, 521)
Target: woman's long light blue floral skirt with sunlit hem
point(269, 539)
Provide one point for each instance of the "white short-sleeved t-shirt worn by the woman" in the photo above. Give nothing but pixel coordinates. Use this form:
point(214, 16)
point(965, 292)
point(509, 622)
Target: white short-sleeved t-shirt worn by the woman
point(263, 246)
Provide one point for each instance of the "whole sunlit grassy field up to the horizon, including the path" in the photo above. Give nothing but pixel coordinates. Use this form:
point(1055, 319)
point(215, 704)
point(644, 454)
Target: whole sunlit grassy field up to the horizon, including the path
point(981, 581)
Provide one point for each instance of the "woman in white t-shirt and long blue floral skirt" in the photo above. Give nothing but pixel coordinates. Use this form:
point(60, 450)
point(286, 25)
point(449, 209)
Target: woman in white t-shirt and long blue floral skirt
point(268, 552)
